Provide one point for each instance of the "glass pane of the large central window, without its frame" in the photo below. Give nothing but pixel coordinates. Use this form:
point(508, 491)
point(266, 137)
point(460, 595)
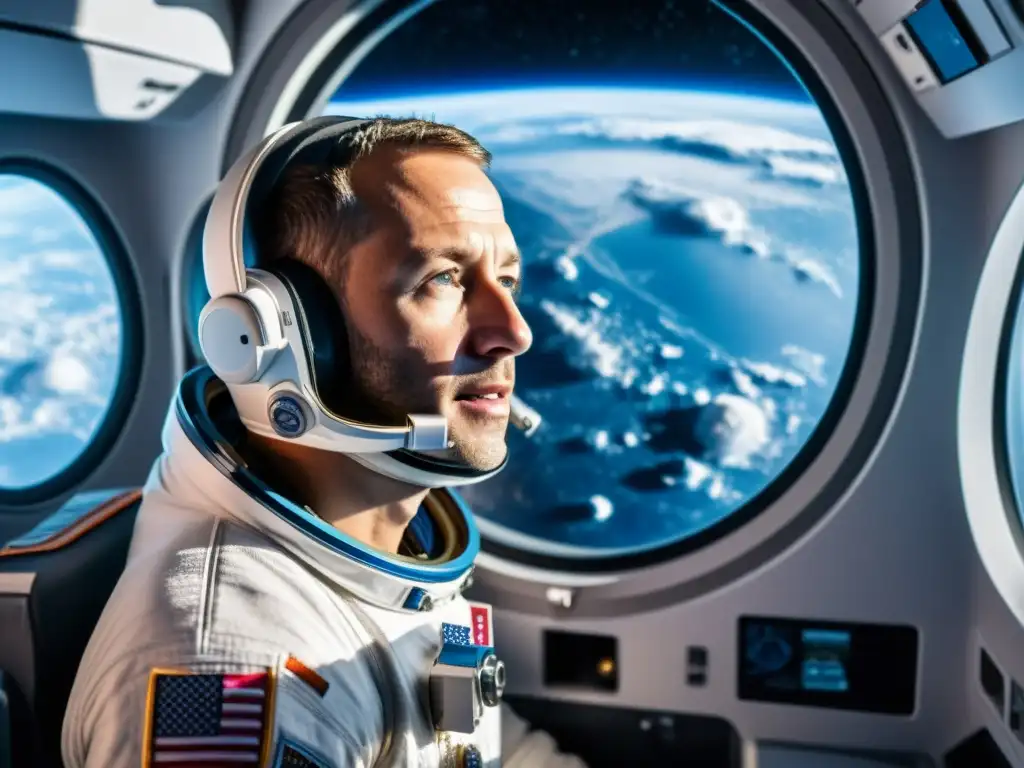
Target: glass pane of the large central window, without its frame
point(693, 266)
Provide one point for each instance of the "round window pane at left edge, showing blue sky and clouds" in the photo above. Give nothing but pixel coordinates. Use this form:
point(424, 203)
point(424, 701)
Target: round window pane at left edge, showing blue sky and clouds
point(61, 336)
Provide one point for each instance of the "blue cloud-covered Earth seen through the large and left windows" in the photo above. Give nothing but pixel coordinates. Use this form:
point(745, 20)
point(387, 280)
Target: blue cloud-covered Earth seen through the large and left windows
point(691, 277)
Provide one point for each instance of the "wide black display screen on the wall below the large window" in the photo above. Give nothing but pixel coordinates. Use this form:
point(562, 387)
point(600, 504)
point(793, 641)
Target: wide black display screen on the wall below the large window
point(870, 668)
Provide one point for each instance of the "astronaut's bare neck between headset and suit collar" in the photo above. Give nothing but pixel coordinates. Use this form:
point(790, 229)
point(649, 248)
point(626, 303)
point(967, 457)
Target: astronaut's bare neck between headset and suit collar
point(371, 508)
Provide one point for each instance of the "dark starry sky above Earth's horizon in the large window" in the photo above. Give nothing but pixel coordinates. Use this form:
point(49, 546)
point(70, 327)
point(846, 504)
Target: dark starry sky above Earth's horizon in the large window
point(466, 44)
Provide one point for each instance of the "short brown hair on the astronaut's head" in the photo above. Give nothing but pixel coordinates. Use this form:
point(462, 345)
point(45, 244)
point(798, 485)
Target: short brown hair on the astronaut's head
point(314, 216)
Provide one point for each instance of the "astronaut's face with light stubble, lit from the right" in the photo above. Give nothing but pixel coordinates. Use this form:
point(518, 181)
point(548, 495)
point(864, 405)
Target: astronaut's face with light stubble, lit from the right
point(430, 298)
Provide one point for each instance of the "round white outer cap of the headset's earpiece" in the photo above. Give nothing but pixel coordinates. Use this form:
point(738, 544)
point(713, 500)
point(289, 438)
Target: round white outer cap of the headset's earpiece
point(233, 340)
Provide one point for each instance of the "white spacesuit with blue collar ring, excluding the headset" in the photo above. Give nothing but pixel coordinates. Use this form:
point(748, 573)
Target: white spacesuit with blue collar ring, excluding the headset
point(221, 589)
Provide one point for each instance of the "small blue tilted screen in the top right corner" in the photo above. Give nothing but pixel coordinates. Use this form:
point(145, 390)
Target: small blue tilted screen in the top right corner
point(946, 39)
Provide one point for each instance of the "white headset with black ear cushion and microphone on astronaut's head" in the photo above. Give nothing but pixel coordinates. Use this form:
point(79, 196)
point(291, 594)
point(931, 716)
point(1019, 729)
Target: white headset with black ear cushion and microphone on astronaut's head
point(277, 336)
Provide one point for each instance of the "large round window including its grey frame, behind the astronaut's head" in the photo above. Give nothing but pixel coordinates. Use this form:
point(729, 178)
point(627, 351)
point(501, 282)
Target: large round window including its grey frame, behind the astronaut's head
point(701, 209)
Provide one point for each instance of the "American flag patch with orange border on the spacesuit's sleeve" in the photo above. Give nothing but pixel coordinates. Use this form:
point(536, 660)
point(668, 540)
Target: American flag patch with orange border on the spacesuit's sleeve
point(212, 721)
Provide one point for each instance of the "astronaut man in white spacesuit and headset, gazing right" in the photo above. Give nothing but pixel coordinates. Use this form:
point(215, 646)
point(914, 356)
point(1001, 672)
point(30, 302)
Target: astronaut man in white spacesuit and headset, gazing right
point(293, 590)
